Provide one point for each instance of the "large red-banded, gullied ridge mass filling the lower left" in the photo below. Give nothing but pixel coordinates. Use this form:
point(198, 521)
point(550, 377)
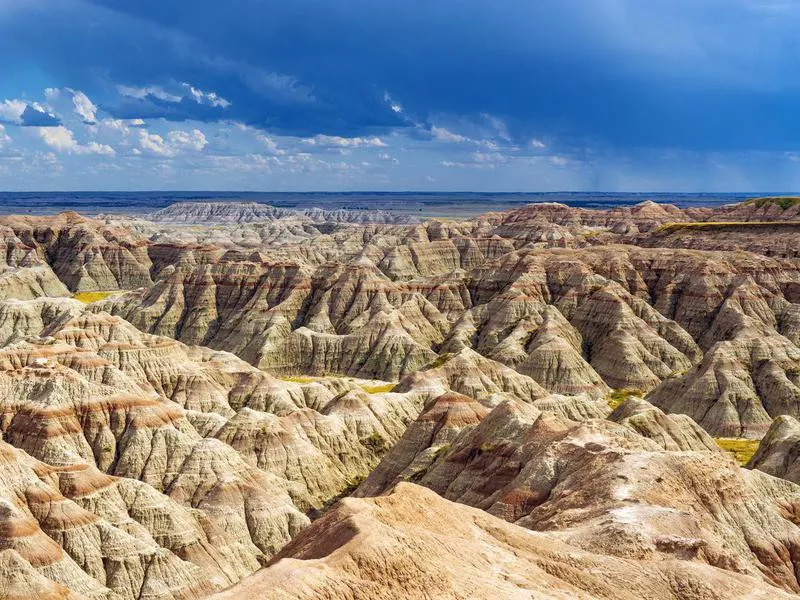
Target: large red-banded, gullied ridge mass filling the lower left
point(136, 466)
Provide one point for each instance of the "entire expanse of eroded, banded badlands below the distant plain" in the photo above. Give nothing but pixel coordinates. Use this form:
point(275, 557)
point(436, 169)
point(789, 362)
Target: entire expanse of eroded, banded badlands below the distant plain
point(231, 400)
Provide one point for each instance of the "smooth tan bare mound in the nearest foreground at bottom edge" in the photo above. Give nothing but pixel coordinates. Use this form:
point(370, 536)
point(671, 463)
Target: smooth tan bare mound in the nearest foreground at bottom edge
point(414, 544)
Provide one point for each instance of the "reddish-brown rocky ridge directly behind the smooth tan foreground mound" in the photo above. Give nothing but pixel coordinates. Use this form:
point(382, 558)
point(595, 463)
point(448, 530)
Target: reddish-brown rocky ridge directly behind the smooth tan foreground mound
point(605, 488)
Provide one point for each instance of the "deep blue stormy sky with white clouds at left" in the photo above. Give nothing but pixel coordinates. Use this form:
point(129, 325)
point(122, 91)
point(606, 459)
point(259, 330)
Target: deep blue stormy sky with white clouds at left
point(418, 95)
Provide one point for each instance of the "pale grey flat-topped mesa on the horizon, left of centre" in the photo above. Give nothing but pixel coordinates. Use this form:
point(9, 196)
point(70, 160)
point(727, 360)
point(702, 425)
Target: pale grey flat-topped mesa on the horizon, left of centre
point(234, 212)
